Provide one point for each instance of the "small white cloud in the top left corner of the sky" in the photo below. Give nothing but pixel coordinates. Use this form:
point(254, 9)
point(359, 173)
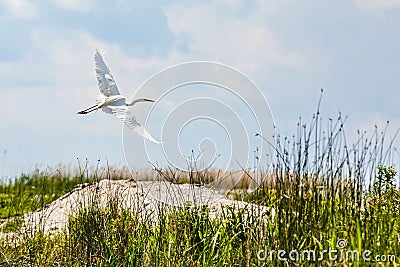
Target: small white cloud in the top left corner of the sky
point(20, 9)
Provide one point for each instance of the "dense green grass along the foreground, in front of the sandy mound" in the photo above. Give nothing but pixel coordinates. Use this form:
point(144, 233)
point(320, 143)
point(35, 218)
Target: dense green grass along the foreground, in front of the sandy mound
point(190, 237)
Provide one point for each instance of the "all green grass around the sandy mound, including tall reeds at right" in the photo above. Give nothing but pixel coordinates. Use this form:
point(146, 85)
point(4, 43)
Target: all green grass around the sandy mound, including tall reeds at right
point(327, 194)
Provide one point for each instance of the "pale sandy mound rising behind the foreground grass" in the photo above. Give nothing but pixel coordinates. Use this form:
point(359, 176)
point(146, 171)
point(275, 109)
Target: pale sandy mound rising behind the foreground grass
point(142, 197)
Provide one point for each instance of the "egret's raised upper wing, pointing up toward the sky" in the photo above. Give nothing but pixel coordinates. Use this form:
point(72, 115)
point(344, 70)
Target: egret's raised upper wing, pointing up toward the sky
point(106, 81)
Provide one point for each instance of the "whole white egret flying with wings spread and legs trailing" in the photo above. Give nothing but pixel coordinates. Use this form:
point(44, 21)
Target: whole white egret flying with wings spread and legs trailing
point(111, 101)
